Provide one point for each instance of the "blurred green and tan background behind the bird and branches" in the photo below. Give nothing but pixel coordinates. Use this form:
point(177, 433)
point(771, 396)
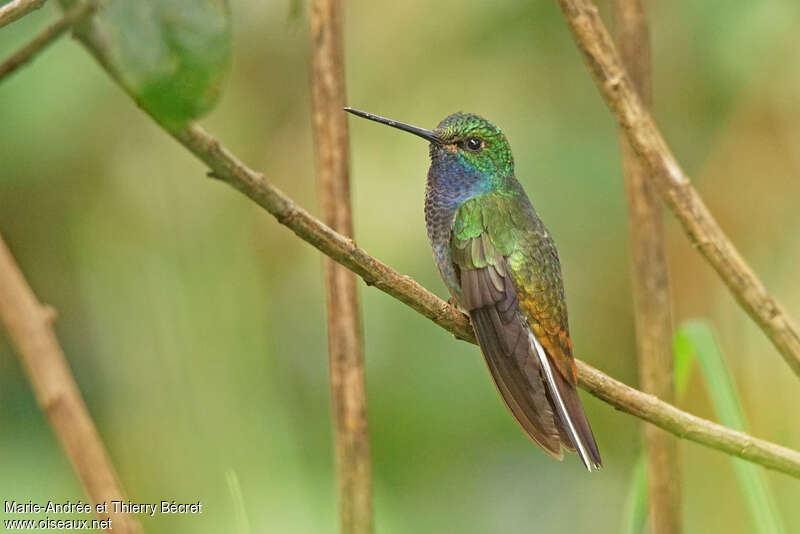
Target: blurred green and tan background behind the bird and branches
point(194, 323)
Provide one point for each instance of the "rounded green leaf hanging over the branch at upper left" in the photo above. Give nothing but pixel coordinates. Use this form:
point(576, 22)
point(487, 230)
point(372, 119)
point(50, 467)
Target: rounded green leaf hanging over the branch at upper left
point(171, 55)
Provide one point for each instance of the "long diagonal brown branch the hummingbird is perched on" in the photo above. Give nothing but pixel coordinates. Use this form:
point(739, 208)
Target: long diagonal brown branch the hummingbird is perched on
point(225, 166)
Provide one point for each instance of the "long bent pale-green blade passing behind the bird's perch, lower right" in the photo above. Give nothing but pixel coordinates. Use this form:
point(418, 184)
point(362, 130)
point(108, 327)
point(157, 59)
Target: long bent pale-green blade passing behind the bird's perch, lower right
point(695, 340)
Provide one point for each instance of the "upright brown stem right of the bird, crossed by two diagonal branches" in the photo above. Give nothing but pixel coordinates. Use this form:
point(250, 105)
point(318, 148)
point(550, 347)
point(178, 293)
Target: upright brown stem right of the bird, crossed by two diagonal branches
point(651, 294)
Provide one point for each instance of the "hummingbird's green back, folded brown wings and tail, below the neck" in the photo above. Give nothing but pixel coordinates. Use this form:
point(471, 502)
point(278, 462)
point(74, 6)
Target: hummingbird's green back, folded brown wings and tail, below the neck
point(511, 286)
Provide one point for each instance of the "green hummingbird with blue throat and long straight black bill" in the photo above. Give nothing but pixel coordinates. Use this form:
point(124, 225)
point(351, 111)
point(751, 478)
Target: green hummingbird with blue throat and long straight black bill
point(501, 266)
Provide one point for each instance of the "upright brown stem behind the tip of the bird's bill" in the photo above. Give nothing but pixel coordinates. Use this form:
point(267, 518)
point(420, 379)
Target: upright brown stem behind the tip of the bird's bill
point(345, 343)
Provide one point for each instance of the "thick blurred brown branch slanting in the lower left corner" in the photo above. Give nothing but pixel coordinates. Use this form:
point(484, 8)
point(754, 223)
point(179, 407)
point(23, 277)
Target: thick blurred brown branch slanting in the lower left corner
point(29, 325)
